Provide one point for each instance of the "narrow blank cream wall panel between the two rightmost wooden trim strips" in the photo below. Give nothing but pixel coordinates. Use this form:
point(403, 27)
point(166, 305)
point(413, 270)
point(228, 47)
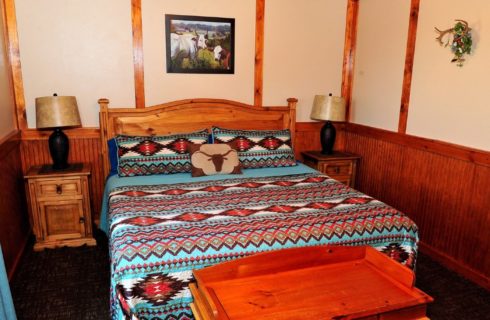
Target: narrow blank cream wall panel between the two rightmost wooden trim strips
point(380, 61)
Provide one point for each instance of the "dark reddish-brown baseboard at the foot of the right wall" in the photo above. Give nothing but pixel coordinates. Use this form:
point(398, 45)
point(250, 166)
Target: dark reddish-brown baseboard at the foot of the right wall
point(455, 265)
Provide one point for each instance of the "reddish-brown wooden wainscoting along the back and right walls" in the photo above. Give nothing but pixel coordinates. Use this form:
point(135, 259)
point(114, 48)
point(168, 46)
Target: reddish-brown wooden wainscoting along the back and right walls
point(443, 187)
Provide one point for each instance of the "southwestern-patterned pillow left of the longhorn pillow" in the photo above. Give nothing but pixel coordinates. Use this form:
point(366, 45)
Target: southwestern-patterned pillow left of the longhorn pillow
point(147, 155)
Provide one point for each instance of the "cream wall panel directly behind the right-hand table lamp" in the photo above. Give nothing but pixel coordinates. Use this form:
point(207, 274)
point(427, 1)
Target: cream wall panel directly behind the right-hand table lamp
point(303, 51)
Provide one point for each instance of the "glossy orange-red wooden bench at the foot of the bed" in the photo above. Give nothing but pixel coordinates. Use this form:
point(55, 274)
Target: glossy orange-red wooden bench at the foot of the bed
point(327, 282)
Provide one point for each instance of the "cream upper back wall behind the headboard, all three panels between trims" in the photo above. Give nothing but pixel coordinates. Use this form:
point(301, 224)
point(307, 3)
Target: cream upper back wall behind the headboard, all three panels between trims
point(85, 49)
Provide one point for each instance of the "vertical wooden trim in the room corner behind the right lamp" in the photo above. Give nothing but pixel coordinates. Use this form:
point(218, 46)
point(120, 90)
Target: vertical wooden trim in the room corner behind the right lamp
point(349, 54)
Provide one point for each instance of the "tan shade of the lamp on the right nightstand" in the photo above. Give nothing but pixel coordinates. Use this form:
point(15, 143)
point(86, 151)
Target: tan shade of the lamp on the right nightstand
point(328, 108)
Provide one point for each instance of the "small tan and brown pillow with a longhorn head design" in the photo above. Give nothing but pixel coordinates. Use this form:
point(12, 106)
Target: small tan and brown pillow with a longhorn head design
point(210, 159)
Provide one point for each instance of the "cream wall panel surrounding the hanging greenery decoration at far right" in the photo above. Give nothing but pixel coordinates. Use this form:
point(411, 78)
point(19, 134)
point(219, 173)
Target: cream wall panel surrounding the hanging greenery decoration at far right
point(450, 103)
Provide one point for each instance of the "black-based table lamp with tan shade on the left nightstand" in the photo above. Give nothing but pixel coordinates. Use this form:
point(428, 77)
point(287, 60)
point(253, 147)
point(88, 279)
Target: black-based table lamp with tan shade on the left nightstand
point(57, 112)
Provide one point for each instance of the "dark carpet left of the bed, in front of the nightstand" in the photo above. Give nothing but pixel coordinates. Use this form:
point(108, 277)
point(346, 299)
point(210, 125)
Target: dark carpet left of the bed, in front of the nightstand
point(63, 284)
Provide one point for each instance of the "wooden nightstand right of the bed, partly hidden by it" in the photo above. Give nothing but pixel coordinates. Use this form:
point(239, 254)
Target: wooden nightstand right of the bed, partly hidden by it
point(339, 165)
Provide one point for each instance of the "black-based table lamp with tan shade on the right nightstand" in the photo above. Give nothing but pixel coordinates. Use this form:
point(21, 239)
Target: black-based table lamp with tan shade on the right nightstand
point(329, 108)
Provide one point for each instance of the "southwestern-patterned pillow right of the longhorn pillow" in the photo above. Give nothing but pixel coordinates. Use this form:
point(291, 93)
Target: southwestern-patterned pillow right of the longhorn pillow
point(259, 148)
